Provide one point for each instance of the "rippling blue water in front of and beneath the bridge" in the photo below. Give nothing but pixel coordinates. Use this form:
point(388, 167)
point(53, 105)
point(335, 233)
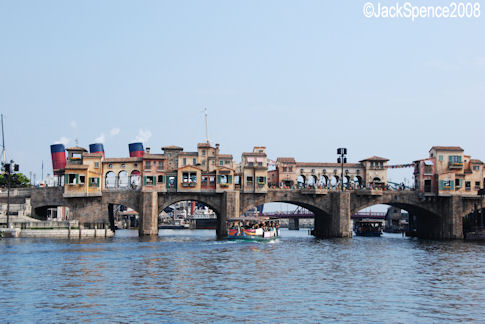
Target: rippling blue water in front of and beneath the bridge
point(189, 277)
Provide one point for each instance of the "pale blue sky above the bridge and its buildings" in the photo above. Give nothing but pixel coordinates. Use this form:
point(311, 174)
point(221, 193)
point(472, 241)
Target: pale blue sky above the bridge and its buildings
point(299, 77)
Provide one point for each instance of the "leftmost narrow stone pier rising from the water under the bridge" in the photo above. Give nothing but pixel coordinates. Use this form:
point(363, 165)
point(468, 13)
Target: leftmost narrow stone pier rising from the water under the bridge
point(148, 215)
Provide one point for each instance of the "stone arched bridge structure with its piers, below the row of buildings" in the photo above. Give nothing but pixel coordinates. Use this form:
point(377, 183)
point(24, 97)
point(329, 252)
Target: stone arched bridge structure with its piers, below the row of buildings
point(436, 217)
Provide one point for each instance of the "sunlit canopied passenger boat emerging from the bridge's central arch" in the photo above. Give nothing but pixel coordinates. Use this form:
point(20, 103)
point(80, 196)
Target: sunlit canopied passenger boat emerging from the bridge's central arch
point(253, 229)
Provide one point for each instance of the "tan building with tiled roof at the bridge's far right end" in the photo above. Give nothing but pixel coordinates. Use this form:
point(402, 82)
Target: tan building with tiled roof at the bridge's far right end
point(448, 171)
